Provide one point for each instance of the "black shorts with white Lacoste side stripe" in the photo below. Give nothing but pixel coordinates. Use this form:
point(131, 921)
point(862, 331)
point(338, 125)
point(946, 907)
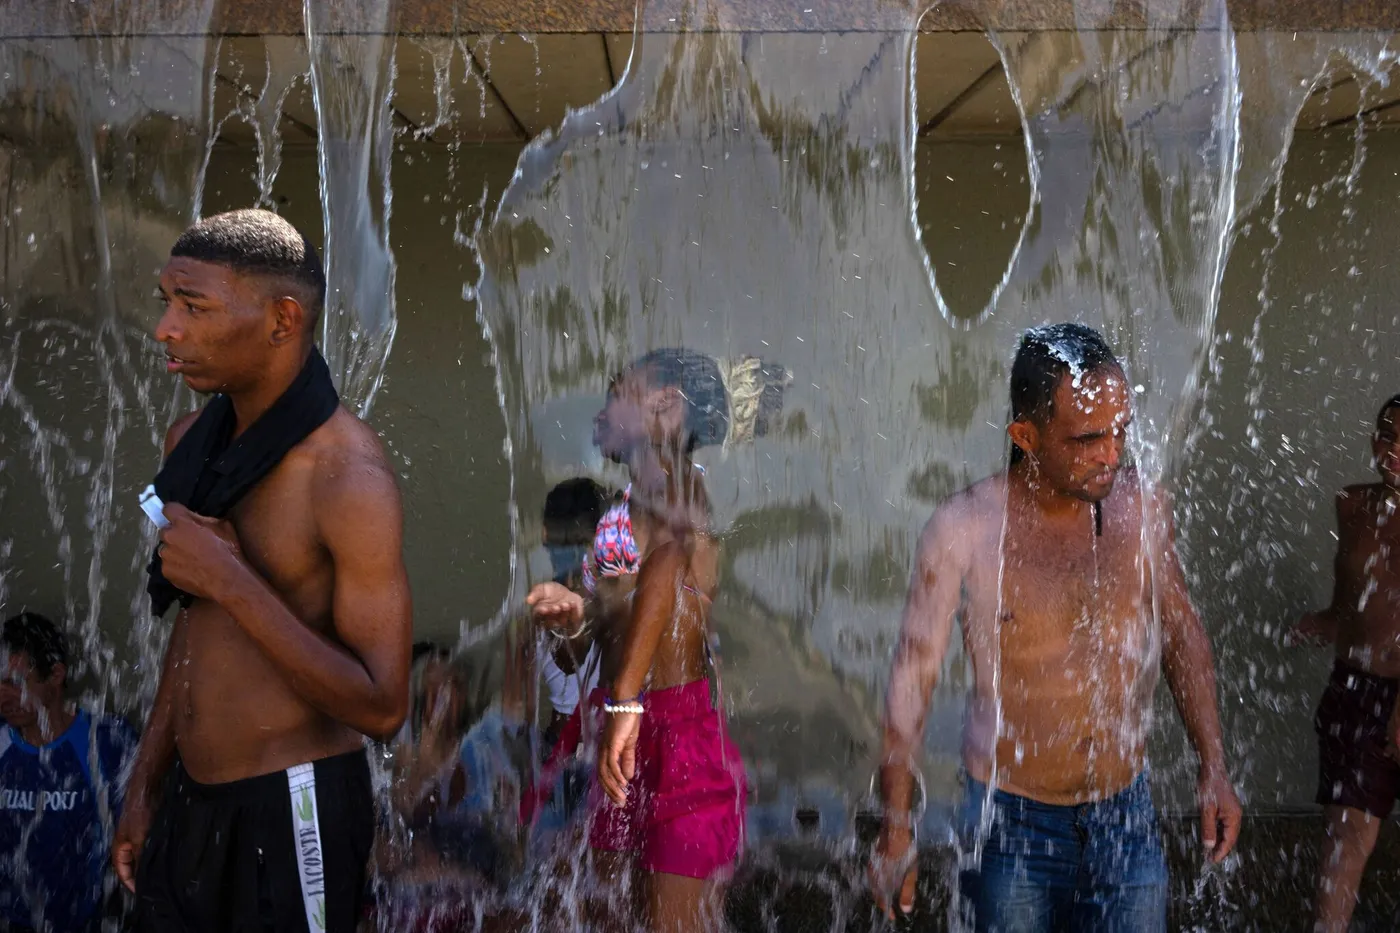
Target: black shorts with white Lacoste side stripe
point(282, 852)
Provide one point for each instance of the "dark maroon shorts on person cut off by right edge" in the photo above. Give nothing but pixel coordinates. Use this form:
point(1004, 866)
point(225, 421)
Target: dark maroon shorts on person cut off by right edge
point(1354, 767)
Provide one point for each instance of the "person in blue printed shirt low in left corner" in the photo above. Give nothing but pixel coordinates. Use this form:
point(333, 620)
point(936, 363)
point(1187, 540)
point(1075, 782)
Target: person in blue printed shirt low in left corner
point(62, 773)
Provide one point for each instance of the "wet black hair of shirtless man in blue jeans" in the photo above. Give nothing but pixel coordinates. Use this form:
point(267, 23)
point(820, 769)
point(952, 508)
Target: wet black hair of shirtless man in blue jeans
point(1048, 355)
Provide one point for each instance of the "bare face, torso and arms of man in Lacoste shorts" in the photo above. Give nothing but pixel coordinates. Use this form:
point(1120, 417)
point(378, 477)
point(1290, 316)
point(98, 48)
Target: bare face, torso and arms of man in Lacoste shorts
point(297, 644)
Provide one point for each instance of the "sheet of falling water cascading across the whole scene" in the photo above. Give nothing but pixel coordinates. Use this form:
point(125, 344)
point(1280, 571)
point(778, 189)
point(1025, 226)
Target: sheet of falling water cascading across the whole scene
point(737, 194)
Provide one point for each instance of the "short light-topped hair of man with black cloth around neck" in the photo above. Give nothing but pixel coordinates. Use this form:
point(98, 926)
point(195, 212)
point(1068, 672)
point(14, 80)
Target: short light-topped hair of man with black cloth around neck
point(260, 243)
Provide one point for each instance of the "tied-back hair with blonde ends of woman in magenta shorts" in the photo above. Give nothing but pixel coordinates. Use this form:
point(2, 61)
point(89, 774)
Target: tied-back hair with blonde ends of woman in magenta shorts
point(724, 403)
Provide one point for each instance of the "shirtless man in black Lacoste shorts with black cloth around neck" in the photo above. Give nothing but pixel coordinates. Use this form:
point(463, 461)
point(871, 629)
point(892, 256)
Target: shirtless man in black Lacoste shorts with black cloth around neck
point(250, 805)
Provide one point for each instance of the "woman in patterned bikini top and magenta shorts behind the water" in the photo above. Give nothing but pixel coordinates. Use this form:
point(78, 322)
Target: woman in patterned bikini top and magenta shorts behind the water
point(671, 795)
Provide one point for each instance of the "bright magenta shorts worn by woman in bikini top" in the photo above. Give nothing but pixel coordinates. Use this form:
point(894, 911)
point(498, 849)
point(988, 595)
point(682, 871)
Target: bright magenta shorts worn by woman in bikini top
point(687, 803)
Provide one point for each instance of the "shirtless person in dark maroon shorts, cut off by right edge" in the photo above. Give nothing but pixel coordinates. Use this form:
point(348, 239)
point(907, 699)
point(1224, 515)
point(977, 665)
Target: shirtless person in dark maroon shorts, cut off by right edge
point(1359, 721)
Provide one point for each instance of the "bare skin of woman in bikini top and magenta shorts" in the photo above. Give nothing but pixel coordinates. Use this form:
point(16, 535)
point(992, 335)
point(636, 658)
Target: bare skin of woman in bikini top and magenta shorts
point(652, 627)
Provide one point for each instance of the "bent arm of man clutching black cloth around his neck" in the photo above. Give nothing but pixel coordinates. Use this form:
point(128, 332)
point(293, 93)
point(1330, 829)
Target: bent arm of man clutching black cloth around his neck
point(360, 677)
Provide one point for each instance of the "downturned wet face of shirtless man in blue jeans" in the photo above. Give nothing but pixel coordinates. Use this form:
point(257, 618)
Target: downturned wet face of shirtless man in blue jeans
point(1081, 445)
